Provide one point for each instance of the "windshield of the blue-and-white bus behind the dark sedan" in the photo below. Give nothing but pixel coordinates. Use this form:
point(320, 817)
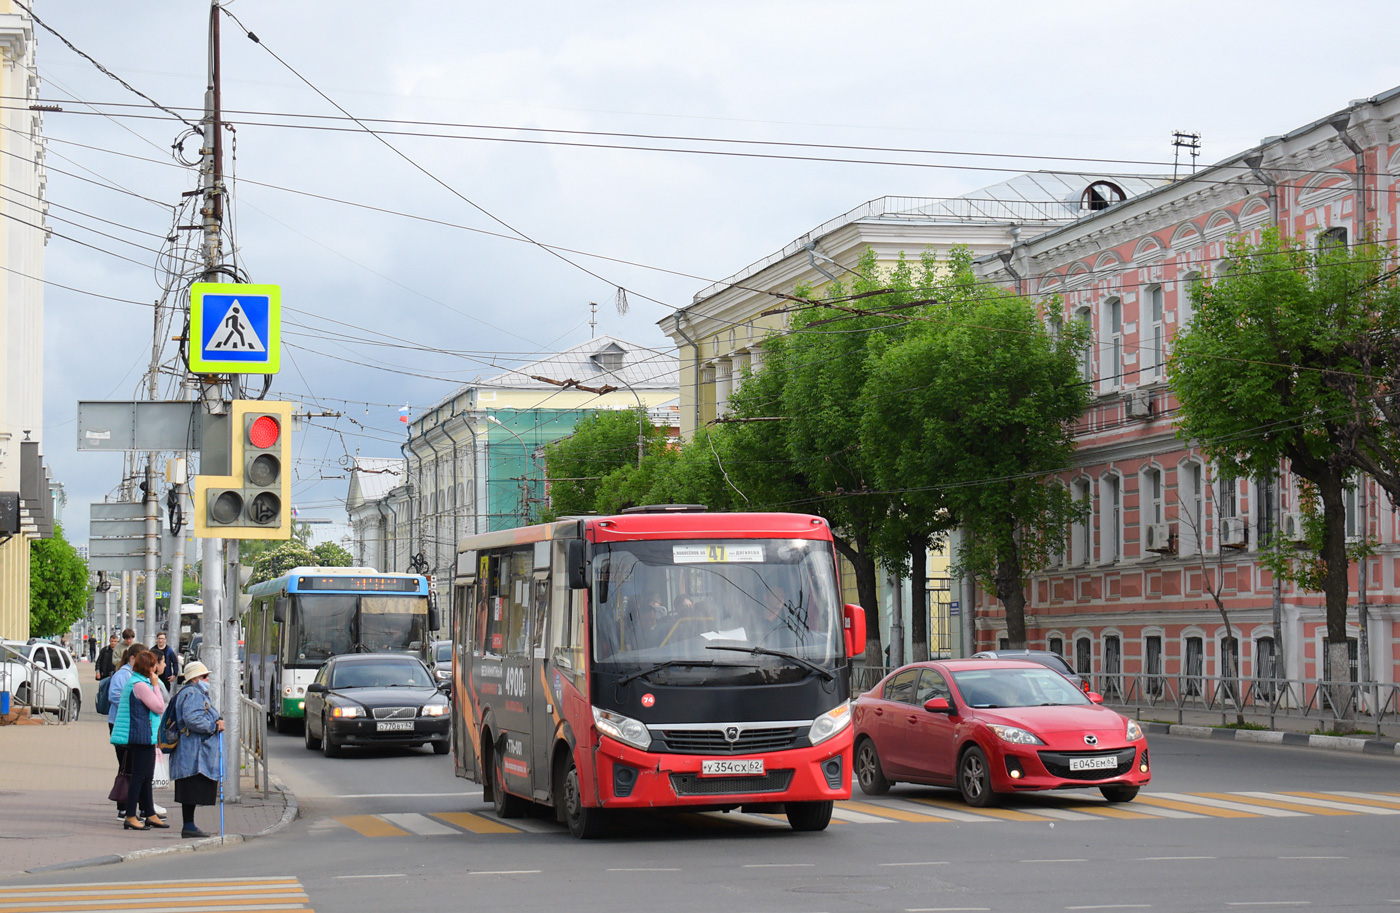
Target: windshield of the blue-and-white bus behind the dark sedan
point(328, 625)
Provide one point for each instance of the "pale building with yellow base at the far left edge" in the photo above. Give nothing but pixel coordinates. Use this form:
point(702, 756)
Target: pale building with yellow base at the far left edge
point(26, 502)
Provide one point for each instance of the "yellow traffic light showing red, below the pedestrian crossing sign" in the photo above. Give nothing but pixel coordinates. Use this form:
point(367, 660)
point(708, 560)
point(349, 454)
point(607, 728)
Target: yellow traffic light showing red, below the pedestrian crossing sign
point(254, 502)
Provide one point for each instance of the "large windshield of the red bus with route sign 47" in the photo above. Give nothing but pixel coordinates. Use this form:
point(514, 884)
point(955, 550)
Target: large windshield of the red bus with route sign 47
point(733, 603)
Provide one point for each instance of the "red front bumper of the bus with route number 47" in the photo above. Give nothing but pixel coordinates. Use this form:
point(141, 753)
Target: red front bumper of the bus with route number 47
point(628, 778)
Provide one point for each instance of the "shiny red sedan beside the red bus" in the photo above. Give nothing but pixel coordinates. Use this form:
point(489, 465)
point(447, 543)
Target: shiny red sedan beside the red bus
point(995, 726)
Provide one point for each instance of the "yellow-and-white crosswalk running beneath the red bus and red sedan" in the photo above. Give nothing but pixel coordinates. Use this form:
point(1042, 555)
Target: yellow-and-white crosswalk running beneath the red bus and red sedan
point(929, 810)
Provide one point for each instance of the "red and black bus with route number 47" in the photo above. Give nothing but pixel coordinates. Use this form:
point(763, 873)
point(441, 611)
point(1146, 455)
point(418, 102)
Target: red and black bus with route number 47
point(666, 657)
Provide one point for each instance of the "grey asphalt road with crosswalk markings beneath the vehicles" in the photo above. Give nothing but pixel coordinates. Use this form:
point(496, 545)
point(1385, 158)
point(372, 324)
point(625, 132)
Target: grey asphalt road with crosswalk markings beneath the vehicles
point(395, 831)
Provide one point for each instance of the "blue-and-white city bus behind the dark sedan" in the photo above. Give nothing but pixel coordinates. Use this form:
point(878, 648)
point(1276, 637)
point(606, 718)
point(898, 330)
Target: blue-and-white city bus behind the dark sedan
point(299, 621)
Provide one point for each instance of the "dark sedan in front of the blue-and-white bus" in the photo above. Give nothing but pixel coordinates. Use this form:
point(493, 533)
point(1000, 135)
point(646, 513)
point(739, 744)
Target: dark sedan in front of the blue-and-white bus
point(376, 699)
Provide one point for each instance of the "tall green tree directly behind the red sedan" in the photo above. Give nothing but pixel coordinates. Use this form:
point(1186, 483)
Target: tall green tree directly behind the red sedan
point(969, 415)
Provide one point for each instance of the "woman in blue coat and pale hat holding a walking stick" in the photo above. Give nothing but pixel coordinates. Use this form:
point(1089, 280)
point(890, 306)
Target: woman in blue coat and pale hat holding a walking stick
point(192, 726)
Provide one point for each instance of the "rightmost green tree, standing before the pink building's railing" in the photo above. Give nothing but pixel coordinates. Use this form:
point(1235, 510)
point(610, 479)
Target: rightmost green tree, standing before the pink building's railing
point(1256, 377)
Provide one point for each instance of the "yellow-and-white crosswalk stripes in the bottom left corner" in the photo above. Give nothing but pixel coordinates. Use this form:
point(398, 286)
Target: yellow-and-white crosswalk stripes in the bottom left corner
point(205, 895)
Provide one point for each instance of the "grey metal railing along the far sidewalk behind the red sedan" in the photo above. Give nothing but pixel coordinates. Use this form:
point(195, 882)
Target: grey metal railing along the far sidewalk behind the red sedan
point(1262, 701)
